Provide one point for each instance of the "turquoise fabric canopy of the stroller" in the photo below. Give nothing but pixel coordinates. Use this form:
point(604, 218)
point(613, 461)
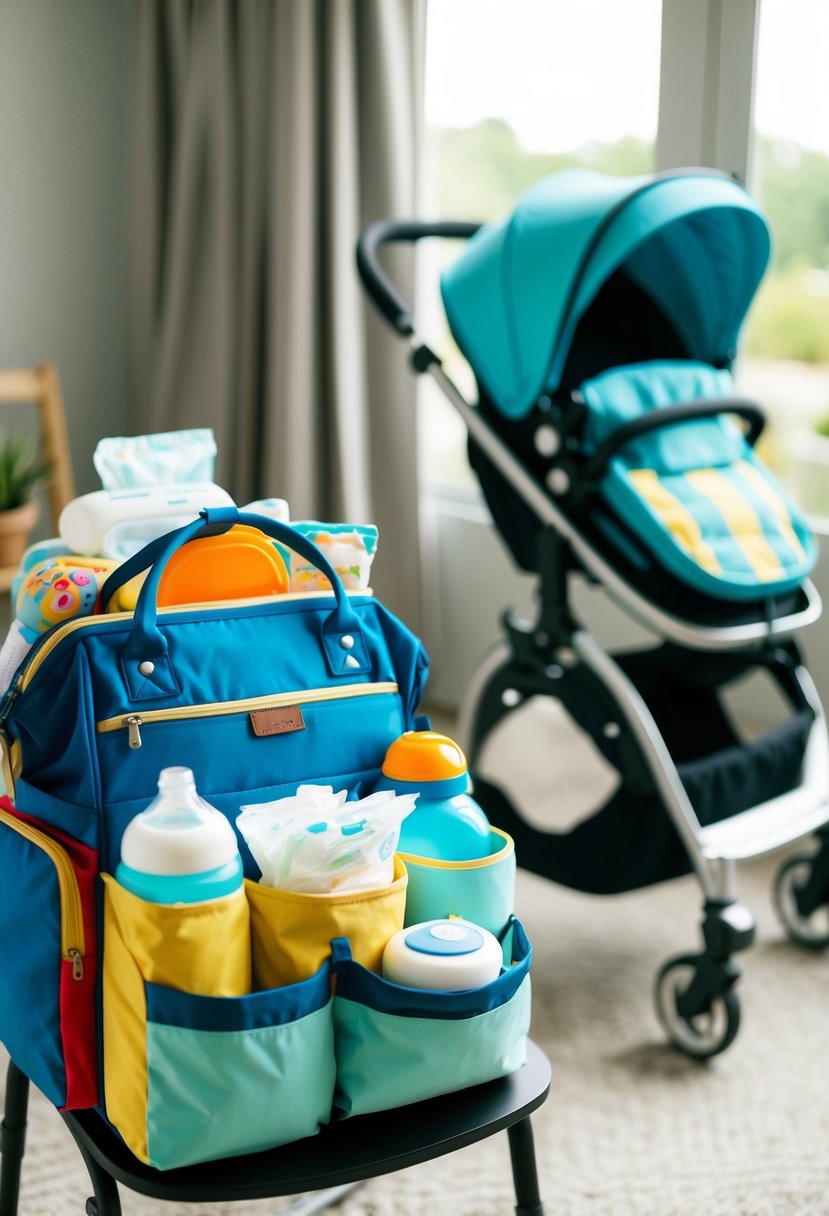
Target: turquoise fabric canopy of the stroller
point(695, 243)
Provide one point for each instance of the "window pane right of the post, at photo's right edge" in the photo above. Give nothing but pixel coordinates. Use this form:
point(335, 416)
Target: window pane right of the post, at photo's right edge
point(786, 362)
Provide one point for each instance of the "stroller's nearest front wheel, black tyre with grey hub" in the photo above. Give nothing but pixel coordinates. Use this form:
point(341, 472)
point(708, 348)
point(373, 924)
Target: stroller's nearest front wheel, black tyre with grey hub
point(703, 1034)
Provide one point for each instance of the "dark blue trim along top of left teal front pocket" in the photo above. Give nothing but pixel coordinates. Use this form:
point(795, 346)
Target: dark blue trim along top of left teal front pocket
point(278, 1007)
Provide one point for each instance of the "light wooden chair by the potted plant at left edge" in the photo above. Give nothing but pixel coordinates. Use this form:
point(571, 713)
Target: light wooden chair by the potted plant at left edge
point(42, 387)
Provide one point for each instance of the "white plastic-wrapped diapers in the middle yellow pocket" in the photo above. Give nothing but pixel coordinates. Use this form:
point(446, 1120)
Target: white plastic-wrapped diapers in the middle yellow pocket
point(318, 842)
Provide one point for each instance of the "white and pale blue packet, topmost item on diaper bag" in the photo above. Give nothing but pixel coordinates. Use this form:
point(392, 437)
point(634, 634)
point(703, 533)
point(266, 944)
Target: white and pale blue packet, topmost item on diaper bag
point(179, 458)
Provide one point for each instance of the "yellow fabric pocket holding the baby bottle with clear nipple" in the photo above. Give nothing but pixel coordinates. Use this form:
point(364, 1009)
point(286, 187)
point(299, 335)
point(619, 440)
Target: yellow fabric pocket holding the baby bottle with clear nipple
point(198, 948)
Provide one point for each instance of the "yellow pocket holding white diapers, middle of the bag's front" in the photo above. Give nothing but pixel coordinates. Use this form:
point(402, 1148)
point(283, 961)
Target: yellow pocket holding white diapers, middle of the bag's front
point(292, 931)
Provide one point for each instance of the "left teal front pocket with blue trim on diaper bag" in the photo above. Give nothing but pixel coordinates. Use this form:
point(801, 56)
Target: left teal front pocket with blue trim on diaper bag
point(230, 1076)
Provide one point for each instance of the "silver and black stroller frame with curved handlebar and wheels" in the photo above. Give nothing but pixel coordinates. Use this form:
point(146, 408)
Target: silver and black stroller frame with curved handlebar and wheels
point(695, 994)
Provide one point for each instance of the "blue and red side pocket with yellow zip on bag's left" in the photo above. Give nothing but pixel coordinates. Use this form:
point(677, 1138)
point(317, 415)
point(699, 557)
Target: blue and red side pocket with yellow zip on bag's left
point(48, 982)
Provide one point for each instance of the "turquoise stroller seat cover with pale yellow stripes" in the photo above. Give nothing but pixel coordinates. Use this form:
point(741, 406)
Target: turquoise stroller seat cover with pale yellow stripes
point(670, 463)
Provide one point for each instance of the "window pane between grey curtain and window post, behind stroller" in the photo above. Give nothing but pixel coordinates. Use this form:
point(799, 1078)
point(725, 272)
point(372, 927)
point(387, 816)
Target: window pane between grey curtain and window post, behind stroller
point(510, 99)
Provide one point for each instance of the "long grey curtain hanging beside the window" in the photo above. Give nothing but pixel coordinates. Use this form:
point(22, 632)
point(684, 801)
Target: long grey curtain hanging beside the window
point(267, 133)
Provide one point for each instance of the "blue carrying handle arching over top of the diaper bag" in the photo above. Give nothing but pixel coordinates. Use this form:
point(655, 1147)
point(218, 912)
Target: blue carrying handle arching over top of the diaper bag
point(145, 656)
